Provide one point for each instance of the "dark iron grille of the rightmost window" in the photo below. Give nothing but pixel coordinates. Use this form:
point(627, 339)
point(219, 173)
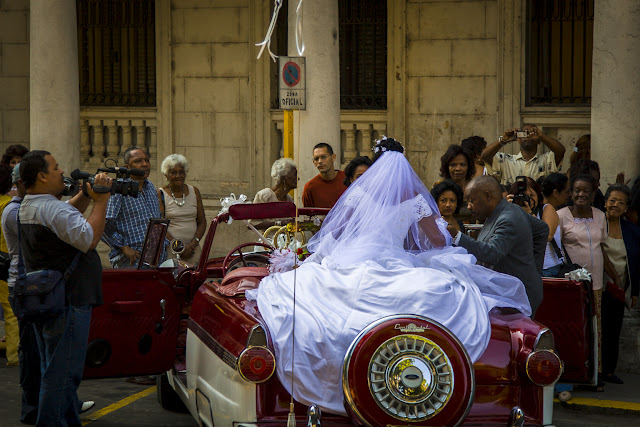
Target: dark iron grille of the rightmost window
point(559, 51)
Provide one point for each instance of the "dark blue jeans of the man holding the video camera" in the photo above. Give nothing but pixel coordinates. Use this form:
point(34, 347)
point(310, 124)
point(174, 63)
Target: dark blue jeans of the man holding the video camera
point(63, 347)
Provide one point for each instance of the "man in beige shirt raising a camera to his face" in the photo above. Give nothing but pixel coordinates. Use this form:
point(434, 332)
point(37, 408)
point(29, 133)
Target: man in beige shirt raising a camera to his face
point(505, 167)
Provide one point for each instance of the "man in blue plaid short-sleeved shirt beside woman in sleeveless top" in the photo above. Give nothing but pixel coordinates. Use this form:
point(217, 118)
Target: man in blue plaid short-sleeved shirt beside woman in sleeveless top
point(127, 217)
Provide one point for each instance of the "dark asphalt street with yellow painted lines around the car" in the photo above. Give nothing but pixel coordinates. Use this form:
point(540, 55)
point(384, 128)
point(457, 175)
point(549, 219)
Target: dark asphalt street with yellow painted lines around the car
point(122, 404)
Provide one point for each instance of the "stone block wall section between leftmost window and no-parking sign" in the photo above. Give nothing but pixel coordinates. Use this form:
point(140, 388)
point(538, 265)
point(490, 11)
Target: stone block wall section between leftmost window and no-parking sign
point(212, 86)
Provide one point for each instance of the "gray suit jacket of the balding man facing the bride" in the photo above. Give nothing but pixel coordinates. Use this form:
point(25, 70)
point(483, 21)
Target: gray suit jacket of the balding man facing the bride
point(512, 242)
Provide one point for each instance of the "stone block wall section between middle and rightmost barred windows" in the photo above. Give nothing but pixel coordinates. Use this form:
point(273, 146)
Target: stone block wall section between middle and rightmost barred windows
point(451, 70)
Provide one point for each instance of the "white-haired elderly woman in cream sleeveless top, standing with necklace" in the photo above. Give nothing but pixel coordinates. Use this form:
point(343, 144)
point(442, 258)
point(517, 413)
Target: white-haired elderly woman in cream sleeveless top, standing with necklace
point(182, 204)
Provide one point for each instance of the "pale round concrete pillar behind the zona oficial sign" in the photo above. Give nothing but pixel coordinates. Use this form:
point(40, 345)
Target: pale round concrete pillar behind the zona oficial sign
point(320, 122)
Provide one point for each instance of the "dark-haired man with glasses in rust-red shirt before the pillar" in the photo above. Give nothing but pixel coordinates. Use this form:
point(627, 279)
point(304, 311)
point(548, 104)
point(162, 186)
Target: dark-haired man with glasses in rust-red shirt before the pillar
point(324, 190)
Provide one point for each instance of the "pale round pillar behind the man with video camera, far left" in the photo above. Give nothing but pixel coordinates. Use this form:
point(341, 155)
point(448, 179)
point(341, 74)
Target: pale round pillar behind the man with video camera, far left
point(54, 86)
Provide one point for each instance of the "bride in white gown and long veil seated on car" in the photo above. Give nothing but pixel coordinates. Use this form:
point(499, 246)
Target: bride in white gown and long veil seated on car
point(382, 250)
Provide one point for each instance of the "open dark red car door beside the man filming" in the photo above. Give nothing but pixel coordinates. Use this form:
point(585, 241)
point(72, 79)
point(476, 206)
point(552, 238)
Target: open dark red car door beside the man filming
point(135, 330)
